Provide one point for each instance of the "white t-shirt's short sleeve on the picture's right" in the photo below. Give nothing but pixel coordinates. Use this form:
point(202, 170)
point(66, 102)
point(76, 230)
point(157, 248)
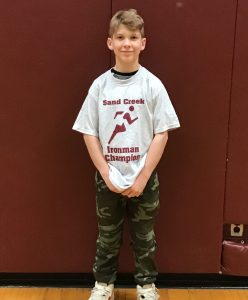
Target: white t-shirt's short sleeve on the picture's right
point(164, 115)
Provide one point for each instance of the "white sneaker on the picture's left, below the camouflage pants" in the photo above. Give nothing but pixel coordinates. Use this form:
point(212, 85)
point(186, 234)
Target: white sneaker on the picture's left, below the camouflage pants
point(102, 291)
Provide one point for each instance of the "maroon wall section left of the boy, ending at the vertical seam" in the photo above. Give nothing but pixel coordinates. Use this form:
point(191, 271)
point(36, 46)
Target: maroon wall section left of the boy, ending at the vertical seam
point(48, 58)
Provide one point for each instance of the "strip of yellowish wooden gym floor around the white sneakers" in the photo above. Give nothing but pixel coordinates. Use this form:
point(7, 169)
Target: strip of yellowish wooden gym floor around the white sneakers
point(123, 294)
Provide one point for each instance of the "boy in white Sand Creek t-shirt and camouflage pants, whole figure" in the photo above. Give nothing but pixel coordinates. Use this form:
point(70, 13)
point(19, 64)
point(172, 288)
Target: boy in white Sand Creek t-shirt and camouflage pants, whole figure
point(125, 121)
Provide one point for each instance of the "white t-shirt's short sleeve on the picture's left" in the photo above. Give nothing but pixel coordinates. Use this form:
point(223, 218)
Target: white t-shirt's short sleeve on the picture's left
point(87, 120)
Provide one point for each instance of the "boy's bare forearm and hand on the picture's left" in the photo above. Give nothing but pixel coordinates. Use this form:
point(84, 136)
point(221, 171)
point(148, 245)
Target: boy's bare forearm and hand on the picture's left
point(95, 151)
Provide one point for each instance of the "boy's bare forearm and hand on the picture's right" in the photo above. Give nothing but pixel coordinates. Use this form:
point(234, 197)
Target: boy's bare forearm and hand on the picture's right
point(154, 154)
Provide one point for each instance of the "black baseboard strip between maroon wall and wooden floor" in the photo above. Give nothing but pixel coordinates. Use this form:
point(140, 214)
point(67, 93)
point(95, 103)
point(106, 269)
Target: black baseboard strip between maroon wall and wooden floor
point(123, 280)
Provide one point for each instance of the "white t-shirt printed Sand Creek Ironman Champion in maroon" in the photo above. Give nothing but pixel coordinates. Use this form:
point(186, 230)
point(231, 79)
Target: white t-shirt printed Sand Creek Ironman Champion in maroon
point(125, 115)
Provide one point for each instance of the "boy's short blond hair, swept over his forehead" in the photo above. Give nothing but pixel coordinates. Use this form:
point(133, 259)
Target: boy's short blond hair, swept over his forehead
point(129, 18)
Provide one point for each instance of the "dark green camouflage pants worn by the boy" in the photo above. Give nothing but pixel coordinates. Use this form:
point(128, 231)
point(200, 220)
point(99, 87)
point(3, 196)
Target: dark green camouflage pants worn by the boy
point(140, 211)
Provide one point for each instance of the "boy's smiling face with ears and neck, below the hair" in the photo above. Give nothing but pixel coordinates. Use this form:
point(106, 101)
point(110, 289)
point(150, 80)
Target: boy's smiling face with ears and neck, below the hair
point(127, 46)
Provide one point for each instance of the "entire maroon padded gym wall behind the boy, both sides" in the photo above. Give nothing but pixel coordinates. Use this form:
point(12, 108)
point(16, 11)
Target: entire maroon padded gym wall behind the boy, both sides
point(50, 54)
